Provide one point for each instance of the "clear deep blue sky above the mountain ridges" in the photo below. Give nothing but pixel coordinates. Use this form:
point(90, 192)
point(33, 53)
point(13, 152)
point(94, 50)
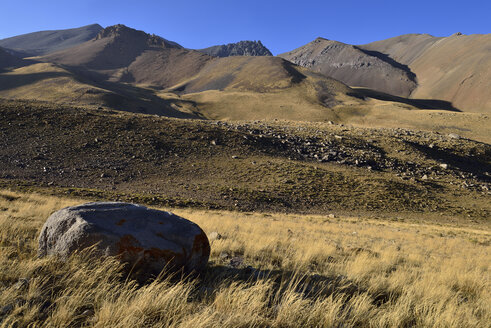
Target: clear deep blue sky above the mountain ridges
point(280, 25)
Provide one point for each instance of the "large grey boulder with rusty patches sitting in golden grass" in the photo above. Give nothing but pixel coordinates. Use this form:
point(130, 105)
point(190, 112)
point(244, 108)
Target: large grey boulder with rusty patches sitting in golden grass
point(147, 240)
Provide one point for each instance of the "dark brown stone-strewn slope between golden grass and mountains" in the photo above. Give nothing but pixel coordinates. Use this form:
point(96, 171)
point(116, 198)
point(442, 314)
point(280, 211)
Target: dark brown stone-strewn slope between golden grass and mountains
point(268, 166)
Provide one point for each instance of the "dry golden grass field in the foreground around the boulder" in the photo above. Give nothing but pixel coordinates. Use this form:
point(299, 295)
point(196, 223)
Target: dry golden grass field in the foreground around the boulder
point(297, 271)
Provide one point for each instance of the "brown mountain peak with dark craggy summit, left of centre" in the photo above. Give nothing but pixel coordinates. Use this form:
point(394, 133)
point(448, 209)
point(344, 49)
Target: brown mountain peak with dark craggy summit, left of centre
point(122, 54)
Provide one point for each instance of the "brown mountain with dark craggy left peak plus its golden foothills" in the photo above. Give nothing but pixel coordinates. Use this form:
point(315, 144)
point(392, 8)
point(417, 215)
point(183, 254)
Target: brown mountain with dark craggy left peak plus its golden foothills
point(131, 70)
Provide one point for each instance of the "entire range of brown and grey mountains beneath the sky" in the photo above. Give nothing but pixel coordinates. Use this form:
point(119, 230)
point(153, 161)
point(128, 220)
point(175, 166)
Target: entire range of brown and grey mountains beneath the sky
point(393, 82)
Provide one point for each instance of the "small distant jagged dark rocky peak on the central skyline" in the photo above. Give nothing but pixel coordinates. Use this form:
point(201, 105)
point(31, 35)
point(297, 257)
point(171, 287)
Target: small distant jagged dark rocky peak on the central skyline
point(241, 48)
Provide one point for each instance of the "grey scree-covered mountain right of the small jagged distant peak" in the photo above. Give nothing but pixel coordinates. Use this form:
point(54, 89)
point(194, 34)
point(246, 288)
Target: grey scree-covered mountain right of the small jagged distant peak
point(354, 66)
